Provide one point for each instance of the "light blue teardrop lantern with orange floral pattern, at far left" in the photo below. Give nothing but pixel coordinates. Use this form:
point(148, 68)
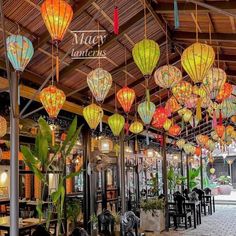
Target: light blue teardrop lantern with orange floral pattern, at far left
point(19, 51)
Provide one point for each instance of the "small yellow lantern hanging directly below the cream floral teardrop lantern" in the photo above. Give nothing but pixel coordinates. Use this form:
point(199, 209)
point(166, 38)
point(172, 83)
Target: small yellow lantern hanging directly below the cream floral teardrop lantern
point(93, 115)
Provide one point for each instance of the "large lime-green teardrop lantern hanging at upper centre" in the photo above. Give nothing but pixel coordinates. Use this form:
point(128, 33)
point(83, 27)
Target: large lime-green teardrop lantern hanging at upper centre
point(146, 54)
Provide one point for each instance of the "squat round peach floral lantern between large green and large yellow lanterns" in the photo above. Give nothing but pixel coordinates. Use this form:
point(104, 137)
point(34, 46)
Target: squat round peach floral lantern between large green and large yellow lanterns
point(167, 76)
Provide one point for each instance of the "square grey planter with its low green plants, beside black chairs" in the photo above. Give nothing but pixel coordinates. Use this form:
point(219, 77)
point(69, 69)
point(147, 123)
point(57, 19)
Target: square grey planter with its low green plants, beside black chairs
point(152, 215)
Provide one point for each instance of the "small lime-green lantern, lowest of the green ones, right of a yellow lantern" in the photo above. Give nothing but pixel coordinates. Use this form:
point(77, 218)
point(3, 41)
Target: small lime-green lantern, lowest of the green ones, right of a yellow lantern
point(116, 123)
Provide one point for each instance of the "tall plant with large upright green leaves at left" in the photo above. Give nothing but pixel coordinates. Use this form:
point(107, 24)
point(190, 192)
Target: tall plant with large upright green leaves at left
point(47, 157)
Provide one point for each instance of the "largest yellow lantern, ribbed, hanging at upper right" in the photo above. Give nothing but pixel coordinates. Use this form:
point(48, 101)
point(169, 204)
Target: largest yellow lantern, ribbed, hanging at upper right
point(196, 60)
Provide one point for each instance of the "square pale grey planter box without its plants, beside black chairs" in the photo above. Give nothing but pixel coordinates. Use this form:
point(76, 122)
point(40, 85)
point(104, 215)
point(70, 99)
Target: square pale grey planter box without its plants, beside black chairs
point(153, 221)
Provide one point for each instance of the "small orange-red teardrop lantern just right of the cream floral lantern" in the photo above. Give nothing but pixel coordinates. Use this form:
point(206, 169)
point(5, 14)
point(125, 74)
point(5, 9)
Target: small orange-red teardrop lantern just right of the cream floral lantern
point(126, 98)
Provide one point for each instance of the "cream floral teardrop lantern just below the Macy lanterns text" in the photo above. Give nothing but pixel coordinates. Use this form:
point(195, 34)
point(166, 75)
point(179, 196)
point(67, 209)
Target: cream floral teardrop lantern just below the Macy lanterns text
point(99, 82)
